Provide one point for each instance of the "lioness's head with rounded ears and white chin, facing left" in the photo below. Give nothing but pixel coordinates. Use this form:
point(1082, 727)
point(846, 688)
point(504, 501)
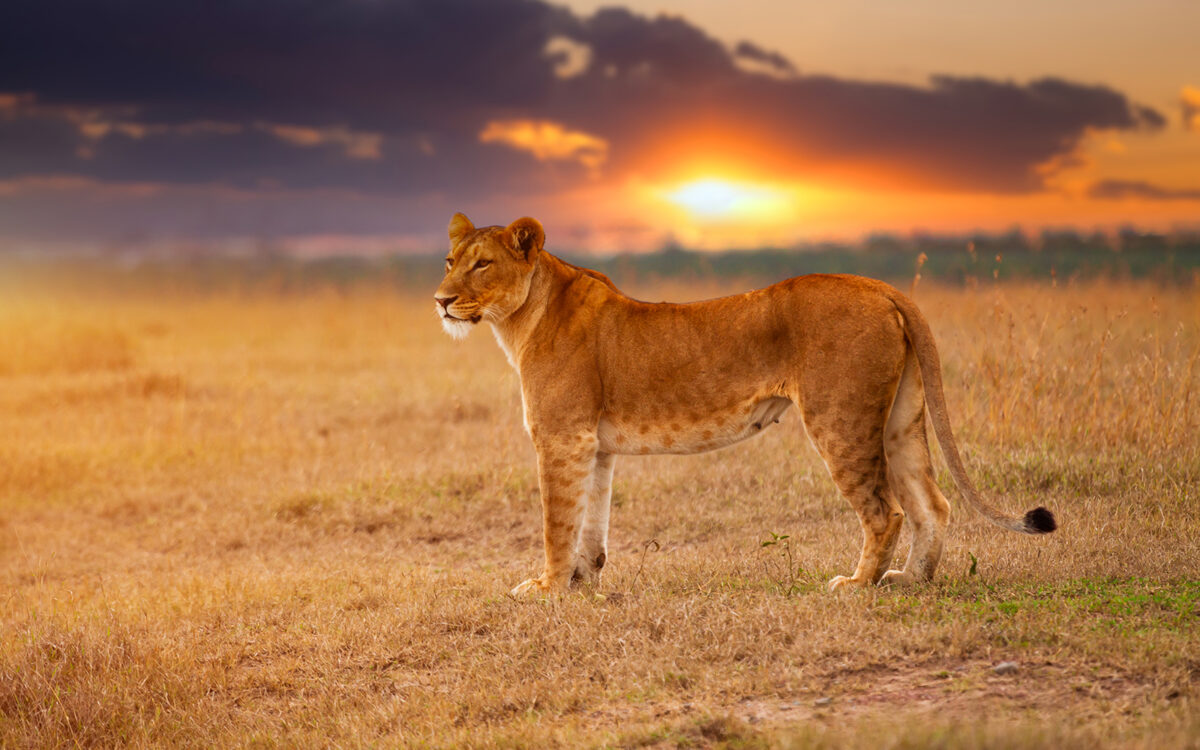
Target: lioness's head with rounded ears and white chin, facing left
point(488, 273)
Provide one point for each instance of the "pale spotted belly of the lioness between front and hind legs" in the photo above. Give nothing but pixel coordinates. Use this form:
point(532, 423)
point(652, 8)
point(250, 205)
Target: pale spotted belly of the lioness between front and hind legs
point(661, 431)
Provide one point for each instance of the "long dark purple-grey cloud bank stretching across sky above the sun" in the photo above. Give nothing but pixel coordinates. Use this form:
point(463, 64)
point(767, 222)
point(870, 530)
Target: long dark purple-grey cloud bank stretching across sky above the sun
point(391, 98)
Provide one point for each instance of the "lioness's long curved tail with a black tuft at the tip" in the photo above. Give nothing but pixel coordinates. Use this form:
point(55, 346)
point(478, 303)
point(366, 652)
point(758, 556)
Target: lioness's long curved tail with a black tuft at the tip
point(921, 338)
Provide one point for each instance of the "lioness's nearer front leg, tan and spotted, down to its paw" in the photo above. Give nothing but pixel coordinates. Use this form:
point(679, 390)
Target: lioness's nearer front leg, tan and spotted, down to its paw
point(566, 466)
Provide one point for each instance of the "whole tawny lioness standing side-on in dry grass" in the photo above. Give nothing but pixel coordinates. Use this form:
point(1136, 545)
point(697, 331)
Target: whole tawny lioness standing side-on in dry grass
point(604, 375)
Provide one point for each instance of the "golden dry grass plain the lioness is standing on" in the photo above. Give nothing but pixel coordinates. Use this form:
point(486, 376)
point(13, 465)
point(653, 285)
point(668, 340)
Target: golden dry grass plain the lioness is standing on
point(292, 520)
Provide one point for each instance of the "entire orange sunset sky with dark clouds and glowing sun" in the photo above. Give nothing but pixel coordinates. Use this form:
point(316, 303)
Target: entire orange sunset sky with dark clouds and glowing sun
point(363, 125)
